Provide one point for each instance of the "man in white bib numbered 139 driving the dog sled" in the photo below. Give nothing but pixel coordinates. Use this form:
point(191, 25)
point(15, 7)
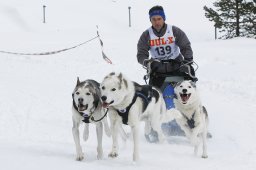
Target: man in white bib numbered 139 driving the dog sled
point(166, 43)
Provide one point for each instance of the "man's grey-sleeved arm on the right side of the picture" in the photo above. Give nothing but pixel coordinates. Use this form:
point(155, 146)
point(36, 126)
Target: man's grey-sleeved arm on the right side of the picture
point(183, 42)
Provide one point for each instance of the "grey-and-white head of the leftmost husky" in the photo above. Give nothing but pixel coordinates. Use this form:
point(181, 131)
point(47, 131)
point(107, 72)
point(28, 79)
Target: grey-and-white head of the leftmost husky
point(86, 97)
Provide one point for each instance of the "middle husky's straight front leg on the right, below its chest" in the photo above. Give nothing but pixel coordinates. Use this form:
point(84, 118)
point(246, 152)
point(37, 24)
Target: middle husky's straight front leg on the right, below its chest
point(135, 132)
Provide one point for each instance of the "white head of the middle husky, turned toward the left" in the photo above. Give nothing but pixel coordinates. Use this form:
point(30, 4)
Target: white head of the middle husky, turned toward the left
point(113, 89)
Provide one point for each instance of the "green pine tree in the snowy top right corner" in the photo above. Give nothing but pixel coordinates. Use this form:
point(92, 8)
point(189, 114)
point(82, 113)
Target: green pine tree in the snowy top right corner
point(234, 18)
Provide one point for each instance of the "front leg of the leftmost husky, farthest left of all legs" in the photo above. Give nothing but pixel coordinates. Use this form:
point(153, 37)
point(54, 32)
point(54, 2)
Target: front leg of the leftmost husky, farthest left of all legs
point(75, 131)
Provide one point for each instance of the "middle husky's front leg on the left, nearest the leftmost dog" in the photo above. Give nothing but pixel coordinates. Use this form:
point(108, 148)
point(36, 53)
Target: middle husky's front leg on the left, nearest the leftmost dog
point(114, 130)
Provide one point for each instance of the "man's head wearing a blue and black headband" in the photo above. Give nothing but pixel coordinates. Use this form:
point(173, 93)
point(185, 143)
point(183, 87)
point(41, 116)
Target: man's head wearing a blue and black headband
point(157, 17)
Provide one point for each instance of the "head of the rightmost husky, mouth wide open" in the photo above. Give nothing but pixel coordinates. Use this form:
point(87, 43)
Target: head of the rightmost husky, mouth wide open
point(185, 91)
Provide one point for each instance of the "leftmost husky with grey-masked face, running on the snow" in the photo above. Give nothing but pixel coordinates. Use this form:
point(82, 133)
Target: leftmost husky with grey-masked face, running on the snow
point(87, 108)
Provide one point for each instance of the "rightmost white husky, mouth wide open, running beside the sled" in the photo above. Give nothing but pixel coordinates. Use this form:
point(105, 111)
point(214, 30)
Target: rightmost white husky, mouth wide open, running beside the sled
point(194, 118)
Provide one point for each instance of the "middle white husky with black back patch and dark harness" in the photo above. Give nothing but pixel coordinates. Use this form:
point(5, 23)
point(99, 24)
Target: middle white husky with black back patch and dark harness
point(129, 103)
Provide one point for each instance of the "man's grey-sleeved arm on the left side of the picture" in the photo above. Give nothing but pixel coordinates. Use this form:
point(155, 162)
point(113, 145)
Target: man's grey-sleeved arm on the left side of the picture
point(143, 47)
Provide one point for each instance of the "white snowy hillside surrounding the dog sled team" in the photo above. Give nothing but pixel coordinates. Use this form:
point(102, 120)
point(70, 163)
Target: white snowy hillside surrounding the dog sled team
point(35, 91)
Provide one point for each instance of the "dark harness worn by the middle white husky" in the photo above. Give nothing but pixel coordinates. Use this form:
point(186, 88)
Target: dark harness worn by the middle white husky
point(146, 93)
